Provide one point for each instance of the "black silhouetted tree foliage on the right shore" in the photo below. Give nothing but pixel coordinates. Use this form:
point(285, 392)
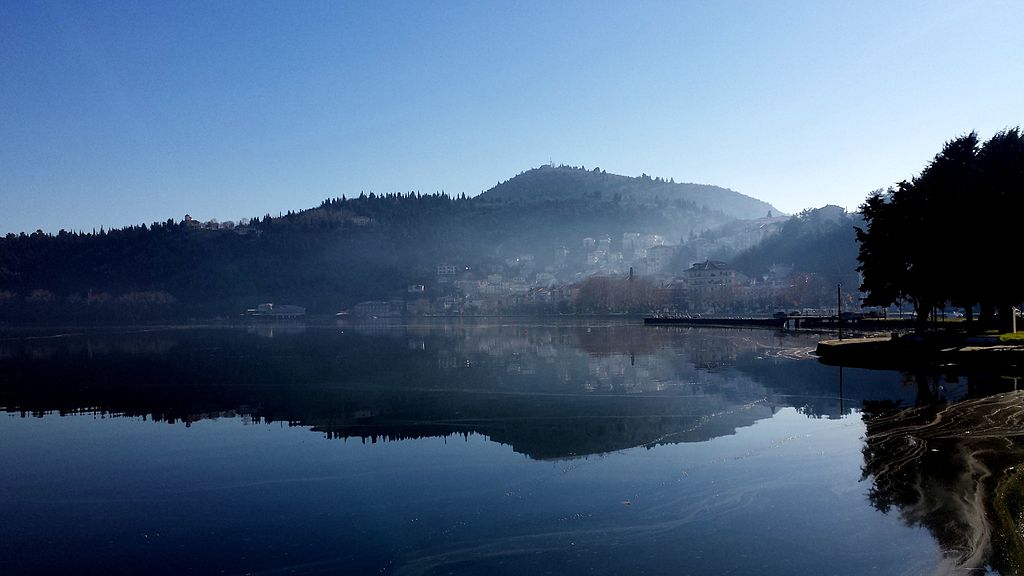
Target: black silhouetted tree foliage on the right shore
point(948, 236)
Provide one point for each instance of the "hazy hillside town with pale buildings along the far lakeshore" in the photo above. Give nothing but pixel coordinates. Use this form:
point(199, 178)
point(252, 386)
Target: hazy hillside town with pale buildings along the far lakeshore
point(635, 273)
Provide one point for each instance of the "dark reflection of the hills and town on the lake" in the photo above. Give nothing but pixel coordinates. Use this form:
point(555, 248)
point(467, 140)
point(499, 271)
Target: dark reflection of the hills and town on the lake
point(550, 392)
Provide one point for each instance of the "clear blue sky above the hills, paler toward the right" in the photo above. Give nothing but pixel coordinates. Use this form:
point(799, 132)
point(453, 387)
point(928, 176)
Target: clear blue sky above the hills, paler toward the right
point(119, 113)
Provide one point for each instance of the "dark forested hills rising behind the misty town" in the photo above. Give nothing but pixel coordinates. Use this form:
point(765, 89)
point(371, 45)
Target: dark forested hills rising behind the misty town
point(346, 251)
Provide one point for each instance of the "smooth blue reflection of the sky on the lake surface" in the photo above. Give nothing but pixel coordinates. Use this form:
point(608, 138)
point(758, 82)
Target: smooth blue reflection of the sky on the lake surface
point(783, 497)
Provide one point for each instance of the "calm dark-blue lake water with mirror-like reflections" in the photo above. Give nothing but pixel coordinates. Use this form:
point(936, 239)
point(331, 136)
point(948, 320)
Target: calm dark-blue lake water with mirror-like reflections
point(489, 448)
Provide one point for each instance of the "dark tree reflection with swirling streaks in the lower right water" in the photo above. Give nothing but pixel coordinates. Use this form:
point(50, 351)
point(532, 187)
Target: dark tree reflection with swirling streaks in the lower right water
point(957, 471)
